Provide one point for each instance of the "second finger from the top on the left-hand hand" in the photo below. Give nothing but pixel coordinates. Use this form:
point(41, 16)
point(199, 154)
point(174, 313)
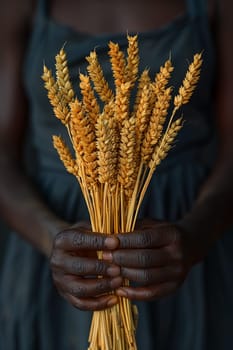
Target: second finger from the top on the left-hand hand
point(81, 266)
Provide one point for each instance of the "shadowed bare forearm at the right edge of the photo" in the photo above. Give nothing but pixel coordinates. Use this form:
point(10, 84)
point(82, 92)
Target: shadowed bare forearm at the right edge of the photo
point(212, 212)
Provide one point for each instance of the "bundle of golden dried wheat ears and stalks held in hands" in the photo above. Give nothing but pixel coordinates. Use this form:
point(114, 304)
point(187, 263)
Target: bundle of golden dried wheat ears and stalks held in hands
point(116, 152)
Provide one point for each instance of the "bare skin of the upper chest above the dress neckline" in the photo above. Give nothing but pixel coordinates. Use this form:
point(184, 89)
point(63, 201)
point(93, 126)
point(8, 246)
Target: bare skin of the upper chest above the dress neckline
point(99, 16)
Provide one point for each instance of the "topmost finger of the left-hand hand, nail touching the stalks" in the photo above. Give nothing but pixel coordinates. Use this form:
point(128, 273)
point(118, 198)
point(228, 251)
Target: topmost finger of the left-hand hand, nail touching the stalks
point(76, 240)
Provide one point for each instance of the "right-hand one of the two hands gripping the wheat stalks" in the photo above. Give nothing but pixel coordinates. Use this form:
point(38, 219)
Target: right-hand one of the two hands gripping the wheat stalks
point(157, 258)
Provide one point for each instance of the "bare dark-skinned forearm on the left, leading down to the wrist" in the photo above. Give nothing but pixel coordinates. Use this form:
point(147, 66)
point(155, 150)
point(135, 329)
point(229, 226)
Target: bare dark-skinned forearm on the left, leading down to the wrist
point(24, 211)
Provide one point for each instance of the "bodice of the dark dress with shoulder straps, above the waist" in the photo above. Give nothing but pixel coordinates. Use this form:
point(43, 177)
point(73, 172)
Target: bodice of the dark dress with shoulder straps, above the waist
point(181, 39)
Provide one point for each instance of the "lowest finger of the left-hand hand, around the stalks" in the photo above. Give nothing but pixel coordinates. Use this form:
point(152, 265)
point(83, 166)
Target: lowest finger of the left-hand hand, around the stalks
point(92, 304)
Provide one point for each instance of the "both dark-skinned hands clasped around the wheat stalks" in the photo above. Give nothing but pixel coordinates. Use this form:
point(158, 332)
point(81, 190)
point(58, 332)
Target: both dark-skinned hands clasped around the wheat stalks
point(156, 258)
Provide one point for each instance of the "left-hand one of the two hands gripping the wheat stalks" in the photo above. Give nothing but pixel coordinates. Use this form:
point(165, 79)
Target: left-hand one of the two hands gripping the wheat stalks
point(76, 270)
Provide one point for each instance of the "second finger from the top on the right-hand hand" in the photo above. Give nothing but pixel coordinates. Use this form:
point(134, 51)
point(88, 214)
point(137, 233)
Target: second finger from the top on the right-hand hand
point(141, 258)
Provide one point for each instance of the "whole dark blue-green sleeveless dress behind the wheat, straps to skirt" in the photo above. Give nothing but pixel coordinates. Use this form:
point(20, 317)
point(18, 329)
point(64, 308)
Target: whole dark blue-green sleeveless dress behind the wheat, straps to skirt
point(200, 315)
